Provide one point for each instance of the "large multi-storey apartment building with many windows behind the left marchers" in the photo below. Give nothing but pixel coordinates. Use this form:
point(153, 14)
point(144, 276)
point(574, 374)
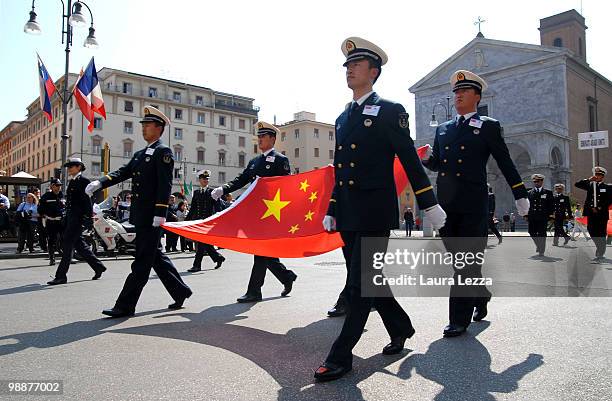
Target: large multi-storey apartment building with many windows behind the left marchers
point(208, 129)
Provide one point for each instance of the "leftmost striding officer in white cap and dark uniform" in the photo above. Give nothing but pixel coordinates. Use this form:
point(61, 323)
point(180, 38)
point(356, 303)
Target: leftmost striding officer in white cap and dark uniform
point(78, 217)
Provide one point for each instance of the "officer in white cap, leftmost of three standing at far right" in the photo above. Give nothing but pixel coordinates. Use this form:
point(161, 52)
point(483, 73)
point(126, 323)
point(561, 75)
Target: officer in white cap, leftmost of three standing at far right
point(540, 210)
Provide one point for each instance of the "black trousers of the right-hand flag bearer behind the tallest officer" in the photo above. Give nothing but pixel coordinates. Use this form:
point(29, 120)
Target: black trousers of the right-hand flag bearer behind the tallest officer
point(464, 233)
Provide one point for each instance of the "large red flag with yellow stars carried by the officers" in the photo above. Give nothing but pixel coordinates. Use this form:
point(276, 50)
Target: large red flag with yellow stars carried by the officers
point(277, 216)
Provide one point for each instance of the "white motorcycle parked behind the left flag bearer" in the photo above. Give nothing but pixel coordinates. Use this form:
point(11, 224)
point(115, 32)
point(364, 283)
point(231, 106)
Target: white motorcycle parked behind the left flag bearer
point(109, 235)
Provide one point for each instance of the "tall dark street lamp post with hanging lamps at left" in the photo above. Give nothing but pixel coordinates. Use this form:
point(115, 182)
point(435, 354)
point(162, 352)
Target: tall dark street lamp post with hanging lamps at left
point(71, 17)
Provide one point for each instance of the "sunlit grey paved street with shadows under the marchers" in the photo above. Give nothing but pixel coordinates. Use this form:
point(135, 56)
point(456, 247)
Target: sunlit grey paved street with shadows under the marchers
point(215, 349)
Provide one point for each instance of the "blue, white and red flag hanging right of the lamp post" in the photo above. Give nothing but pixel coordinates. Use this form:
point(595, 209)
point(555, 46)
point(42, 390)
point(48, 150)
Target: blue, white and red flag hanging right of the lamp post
point(88, 94)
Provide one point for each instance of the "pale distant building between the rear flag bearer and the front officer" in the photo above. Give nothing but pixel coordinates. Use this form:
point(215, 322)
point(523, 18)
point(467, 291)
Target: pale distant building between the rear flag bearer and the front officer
point(308, 143)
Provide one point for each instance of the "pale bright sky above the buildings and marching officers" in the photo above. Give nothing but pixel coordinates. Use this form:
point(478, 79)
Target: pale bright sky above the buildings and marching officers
point(286, 55)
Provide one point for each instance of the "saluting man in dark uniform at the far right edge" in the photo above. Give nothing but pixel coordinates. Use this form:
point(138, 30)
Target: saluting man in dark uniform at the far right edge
point(599, 198)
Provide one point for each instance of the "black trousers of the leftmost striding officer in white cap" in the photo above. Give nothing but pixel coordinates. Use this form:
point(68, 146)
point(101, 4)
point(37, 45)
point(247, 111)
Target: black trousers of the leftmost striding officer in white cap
point(73, 241)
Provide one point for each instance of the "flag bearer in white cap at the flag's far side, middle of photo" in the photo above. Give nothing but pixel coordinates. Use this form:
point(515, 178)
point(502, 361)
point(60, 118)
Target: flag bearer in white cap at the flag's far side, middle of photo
point(269, 164)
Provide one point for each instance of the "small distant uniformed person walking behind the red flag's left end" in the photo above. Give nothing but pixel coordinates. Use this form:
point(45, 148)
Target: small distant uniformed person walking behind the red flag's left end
point(202, 207)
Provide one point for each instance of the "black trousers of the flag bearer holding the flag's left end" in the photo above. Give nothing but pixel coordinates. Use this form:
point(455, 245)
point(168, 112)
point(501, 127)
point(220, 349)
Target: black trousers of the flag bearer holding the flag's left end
point(149, 255)
